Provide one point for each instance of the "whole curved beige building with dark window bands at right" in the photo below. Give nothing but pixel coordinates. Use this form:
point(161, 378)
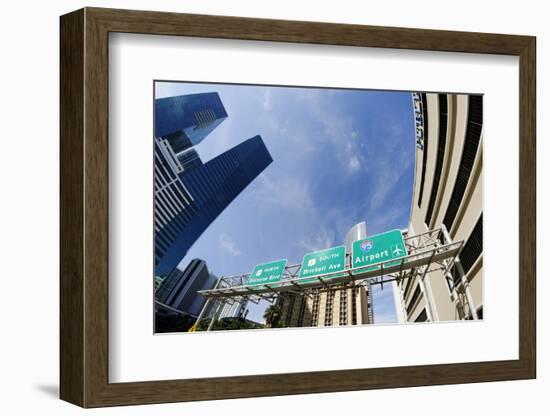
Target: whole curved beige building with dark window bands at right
point(448, 195)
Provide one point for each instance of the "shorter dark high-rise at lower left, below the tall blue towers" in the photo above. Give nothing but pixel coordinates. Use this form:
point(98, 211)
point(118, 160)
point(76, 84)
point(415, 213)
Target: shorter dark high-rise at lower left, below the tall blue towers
point(179, 289)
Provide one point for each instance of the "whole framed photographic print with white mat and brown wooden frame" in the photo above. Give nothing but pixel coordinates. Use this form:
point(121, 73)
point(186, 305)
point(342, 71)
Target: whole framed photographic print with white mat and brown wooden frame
point(256, 207)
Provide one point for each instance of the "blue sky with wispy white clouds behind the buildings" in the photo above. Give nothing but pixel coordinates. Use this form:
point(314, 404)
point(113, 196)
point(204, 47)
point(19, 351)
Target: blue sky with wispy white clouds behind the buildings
point(339, 157)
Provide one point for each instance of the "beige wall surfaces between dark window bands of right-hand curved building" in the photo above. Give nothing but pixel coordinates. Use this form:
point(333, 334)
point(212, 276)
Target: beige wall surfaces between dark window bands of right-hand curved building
point(435, 297)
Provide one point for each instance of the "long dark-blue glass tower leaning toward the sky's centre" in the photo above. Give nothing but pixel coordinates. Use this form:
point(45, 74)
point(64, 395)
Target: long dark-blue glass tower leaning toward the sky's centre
point(212, 187)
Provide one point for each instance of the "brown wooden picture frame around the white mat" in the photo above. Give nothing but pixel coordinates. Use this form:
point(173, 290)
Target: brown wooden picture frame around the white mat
point(84, 207)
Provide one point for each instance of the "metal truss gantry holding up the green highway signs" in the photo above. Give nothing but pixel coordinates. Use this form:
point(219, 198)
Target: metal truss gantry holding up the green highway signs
point(427, 252)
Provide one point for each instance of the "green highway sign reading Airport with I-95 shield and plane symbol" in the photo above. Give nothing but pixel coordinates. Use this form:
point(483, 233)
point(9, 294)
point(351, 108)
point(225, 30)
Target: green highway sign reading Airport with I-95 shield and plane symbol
point(378, 248)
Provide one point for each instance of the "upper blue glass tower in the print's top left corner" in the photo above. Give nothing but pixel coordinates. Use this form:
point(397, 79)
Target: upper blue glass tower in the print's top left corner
point(186, 120)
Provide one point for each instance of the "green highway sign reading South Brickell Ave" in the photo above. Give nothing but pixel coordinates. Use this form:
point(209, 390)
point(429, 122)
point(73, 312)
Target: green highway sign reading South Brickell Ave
point(322, 262)
